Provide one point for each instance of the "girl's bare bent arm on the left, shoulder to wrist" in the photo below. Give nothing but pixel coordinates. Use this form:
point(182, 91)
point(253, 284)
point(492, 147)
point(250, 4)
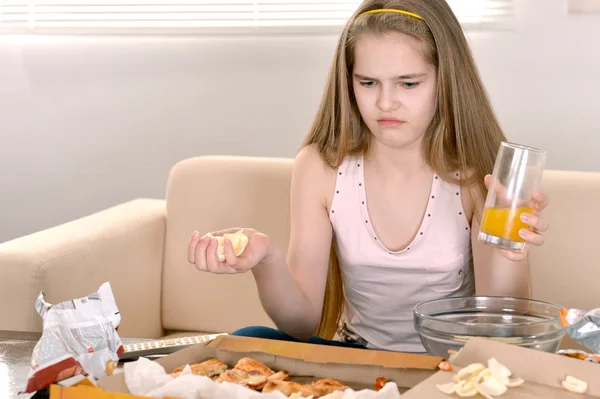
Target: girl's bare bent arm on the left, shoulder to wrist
point(292, 291)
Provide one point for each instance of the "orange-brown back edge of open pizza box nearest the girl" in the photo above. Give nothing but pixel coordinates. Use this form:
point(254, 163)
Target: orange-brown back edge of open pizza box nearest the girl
point(326, 354)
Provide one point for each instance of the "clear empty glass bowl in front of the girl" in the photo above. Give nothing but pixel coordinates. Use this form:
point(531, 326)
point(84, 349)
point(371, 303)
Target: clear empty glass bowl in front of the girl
point(445, 324)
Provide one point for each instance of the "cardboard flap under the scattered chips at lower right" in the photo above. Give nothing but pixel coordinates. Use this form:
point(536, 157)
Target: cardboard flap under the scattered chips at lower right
point(543, 372)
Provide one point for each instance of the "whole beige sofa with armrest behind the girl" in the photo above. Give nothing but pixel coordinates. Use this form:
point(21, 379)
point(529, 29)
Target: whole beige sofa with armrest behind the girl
point(141, 246)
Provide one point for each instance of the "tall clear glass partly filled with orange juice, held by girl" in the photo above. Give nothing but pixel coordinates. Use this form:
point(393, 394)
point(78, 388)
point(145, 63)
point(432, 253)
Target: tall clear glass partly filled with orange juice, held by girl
point(516, 177)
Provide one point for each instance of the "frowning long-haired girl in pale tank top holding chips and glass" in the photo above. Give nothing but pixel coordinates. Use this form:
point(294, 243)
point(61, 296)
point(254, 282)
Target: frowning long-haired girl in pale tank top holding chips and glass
point(387, 191)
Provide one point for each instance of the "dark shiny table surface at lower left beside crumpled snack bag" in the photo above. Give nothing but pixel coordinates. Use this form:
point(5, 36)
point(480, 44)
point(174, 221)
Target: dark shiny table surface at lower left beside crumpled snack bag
point(15, 355)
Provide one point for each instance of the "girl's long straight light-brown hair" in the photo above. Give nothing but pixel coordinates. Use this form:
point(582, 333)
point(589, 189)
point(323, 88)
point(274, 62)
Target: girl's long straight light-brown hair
point(463, 135)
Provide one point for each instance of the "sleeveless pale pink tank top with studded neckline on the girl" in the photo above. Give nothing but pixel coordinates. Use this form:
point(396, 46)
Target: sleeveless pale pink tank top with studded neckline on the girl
point(382, 287)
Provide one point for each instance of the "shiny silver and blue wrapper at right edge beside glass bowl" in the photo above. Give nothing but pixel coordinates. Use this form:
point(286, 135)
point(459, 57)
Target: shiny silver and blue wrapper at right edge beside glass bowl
point(584, 328)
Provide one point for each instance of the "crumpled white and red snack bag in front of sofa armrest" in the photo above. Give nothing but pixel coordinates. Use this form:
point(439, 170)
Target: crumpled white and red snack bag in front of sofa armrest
point(78, 337)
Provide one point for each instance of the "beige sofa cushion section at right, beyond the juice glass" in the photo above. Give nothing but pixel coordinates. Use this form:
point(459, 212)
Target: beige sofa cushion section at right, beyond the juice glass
point(565, 269)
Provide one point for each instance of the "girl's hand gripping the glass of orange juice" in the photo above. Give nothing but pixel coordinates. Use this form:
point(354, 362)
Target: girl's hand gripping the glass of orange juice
point(538, 224)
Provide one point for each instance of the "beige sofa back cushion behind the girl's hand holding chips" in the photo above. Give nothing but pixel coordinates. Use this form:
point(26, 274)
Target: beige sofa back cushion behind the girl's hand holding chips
point(213, 193)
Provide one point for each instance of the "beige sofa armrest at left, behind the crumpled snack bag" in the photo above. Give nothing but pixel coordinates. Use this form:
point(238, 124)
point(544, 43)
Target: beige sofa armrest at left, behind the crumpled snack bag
point(122, 245)
